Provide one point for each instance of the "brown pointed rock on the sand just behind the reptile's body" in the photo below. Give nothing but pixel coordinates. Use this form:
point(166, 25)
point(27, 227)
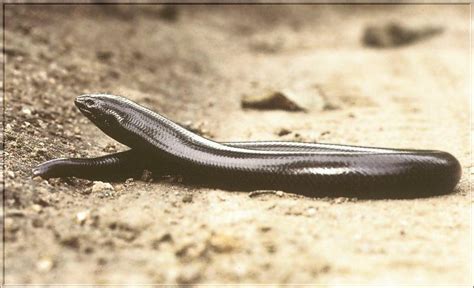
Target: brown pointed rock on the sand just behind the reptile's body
point(272, 100)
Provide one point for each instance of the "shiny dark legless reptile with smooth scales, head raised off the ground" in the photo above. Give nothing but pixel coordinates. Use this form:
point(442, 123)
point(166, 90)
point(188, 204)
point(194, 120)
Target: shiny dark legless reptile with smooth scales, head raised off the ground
point(315, 170)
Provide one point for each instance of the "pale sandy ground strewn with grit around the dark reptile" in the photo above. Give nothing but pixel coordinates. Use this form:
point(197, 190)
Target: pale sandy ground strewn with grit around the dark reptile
point(195, 64)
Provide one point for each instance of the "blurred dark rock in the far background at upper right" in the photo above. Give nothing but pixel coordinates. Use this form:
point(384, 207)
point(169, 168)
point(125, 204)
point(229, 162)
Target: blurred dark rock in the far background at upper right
point(394, 35)
